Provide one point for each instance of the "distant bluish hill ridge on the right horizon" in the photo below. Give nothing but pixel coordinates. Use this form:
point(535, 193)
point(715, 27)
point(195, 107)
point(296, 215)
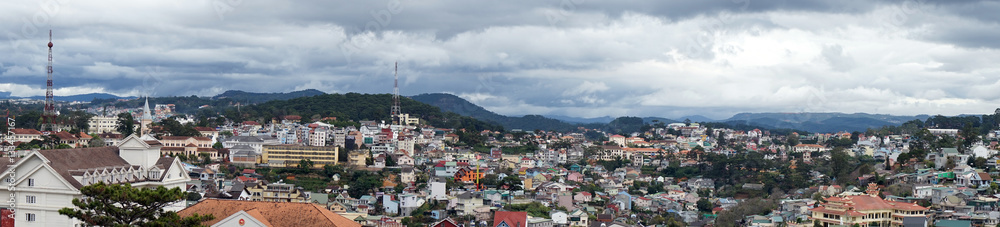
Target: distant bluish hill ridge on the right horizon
point(822, 122)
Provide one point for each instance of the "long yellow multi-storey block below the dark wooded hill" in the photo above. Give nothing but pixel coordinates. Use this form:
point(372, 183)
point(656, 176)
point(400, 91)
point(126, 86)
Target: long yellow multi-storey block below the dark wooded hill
point(291, 155)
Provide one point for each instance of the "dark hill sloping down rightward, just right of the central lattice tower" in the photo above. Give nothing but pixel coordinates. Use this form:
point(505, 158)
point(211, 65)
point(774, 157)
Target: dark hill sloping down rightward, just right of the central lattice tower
point(455, 104)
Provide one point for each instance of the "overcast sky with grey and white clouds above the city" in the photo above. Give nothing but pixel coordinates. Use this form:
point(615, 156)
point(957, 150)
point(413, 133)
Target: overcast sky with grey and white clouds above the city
point(579, 58)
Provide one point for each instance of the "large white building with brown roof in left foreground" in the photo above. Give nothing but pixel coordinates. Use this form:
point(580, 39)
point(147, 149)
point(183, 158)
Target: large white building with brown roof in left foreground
point(48, 180)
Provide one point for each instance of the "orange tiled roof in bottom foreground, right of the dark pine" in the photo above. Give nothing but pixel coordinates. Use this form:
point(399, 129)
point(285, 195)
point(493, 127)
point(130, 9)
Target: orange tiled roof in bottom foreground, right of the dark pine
point(274, 213)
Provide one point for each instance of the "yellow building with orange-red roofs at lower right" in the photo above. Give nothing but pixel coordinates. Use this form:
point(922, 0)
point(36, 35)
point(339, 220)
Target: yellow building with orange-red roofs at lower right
point(865, 210)
